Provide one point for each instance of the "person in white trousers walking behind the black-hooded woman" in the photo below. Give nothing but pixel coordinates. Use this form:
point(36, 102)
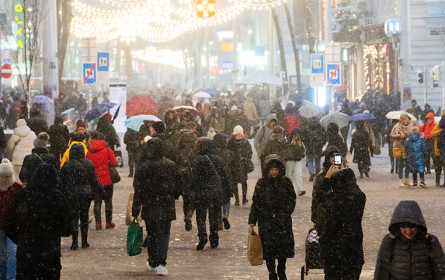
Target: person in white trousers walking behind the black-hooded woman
point(294, 164)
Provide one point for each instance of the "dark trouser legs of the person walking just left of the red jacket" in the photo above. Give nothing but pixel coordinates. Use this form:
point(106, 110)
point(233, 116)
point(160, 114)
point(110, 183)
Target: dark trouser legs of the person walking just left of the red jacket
point(79, 210)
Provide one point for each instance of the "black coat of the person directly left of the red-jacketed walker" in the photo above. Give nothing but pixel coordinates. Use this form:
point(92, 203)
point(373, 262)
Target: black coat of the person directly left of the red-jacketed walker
point(78, 176)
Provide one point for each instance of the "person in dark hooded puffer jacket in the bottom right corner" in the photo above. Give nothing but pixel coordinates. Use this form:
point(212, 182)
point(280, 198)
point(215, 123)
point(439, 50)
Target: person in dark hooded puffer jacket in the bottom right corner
point(408, 251)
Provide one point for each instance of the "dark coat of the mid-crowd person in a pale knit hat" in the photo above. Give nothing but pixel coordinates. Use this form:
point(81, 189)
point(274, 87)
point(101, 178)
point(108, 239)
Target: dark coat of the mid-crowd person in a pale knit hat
point(240, 154)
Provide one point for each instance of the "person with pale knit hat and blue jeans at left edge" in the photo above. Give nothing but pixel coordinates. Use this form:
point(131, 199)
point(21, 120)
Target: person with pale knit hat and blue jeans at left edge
point(9, 189)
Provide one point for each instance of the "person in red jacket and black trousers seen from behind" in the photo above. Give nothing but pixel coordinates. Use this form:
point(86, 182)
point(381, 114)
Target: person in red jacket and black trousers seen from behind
point(102, 157)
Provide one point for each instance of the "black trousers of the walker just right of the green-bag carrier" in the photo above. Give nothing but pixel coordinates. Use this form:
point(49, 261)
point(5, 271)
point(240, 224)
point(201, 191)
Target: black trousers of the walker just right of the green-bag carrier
point(214, 208)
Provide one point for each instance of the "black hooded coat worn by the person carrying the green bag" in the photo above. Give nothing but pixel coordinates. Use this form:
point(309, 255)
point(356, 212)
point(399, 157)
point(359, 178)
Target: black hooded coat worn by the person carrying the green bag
point(155, 185)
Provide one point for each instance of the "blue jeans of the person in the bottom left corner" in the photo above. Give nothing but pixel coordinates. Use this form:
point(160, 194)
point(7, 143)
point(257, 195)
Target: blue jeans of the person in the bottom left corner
point(7, 257)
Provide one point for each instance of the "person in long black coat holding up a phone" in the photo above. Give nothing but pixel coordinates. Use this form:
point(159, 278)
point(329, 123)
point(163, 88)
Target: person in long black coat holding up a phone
point(341, 239)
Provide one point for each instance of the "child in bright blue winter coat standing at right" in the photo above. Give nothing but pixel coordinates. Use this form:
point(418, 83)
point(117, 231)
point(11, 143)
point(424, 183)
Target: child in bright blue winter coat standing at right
point(415, 148)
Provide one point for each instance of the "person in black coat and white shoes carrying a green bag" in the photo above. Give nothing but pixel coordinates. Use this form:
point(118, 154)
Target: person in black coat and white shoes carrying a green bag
point(155, 190)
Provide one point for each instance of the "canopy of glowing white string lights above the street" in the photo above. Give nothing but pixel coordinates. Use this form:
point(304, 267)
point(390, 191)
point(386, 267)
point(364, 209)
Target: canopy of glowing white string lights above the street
point(155, 20)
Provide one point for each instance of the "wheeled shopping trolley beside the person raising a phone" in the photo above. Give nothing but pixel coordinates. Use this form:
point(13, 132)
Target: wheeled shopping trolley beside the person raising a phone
point(313, 257)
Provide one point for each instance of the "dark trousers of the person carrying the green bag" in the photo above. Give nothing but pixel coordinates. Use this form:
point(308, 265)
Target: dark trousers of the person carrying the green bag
point(158, 237)
